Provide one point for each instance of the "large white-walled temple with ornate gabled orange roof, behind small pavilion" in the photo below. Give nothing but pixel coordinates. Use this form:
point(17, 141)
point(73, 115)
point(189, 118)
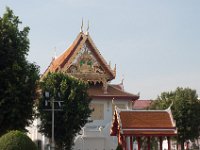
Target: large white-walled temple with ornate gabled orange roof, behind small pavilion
point(84, 61)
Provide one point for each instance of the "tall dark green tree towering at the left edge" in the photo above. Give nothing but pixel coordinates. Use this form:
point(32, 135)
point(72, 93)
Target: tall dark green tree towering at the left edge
point(18, 77)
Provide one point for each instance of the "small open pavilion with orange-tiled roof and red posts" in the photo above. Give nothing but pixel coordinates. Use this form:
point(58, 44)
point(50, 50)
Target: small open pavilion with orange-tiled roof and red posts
point(134, 124)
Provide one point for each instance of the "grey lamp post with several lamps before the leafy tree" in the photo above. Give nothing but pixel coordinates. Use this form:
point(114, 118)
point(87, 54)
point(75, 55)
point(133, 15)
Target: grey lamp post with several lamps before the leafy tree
point(52, 101)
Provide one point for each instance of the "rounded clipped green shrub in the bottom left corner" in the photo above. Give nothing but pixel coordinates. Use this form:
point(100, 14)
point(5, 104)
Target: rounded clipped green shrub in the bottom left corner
point(16, 140)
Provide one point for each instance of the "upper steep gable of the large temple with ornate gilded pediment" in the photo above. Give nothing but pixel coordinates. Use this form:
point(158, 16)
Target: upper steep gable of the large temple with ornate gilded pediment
point(84, 61)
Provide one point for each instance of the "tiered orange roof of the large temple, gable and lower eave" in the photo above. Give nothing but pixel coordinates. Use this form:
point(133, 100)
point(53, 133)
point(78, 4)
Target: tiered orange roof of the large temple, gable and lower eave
point(84, 61)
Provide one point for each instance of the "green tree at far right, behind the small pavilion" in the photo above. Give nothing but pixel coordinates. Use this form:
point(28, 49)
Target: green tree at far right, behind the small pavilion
point(185, 110)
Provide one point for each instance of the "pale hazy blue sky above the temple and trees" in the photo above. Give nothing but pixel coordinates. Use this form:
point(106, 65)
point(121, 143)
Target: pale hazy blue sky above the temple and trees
point(155, 43)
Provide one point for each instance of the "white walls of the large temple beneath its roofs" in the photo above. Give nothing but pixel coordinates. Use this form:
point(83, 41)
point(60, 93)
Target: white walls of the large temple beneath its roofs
point(96, 135)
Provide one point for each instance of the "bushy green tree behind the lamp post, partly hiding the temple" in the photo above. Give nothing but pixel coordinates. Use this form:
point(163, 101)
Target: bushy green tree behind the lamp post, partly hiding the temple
point(75, 108)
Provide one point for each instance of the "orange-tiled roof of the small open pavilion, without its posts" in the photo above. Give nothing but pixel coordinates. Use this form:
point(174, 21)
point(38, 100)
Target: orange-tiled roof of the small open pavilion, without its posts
point(143, 122)
